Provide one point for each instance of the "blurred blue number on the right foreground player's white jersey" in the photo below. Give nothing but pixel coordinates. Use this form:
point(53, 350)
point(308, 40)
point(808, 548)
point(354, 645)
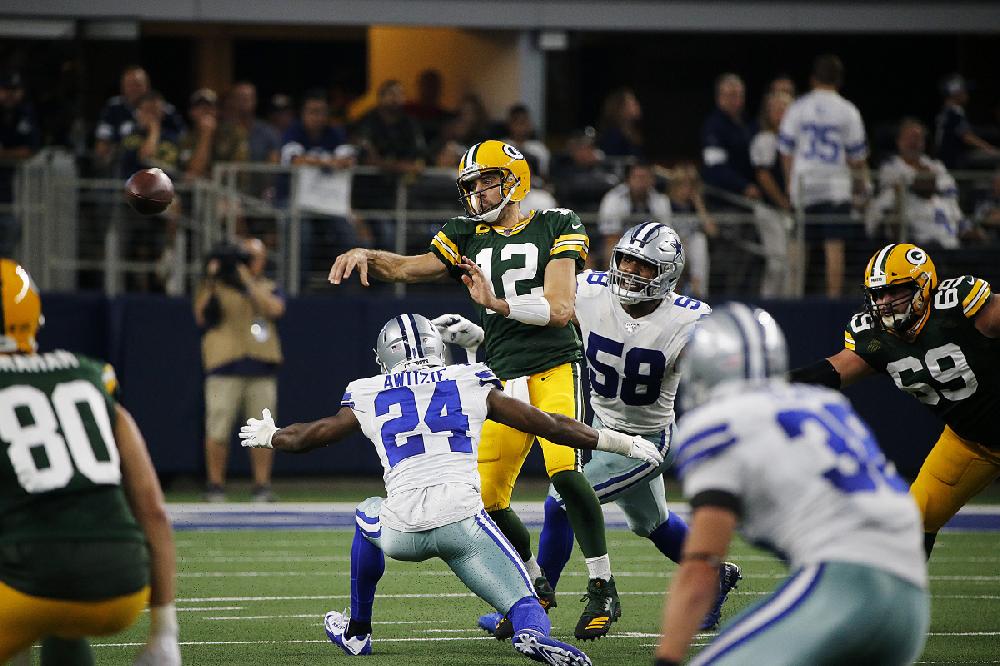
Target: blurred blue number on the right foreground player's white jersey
point(860, 463)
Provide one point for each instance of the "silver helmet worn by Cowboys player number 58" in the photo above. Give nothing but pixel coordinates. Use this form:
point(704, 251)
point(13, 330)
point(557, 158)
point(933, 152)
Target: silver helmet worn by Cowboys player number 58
point(656, 244)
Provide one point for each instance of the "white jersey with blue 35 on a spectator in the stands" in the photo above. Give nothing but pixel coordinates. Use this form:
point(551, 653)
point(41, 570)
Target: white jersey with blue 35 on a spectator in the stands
point(821, 130)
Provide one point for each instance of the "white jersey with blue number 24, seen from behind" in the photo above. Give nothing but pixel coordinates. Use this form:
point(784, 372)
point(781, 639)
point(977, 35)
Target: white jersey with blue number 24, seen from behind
point(425, 425)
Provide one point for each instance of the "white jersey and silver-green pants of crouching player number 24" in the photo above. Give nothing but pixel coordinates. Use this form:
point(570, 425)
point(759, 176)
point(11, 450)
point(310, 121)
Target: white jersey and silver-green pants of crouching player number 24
point(425, 424)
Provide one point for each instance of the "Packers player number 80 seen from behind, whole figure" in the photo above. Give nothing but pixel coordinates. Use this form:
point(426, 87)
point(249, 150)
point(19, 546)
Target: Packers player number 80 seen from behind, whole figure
point(85, 543)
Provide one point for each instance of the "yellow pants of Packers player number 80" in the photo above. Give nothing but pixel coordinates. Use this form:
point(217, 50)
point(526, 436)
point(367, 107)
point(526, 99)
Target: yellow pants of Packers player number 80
point(25, 619)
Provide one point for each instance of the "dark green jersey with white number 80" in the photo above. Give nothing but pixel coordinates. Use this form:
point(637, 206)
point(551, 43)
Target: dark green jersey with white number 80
point(60, 477)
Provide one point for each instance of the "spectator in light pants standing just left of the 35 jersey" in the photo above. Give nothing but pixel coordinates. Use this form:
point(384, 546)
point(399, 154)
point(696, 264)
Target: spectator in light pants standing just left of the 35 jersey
point(774, 220)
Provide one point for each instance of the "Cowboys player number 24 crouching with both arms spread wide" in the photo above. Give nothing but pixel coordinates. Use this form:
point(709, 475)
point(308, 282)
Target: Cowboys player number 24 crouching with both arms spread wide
point(424, 419)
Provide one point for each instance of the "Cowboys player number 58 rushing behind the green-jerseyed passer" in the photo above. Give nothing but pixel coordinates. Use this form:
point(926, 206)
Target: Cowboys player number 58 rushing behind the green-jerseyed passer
point(633, 327)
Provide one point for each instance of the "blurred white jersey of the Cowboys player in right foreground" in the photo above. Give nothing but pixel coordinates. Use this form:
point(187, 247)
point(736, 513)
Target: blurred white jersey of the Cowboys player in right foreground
point(812, 483)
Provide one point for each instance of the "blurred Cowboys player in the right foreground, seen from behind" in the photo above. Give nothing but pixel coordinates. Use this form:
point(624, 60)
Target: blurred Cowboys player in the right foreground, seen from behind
point(799, 472)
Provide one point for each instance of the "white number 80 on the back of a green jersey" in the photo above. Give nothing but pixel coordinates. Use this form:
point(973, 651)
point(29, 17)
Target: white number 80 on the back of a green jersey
point(63, 451)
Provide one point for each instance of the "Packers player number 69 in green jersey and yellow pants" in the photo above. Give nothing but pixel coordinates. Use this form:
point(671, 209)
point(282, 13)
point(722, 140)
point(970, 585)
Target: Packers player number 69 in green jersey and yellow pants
point(941, 344)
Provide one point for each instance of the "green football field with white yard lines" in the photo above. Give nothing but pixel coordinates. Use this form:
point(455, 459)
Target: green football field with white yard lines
point(258, 597)
